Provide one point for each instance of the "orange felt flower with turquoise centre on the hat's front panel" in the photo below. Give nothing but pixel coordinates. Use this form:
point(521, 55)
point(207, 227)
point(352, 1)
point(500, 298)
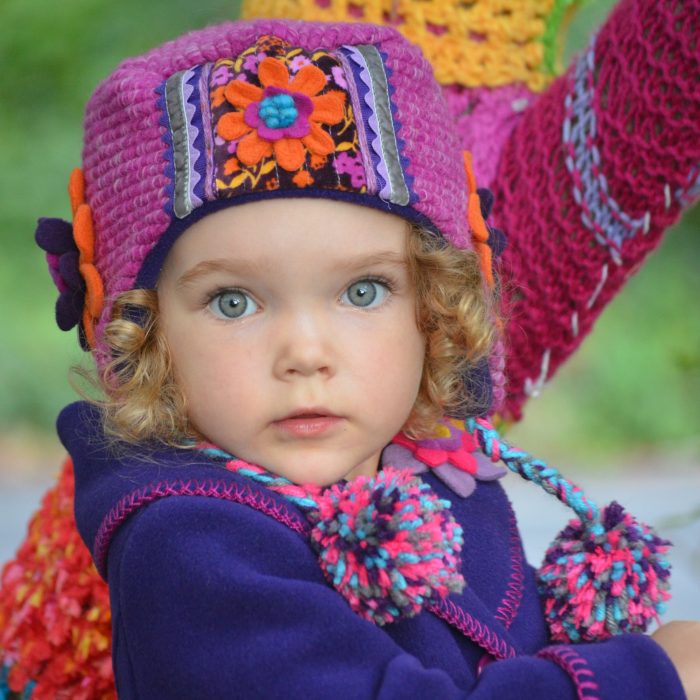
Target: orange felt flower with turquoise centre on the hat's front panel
point(283, 118)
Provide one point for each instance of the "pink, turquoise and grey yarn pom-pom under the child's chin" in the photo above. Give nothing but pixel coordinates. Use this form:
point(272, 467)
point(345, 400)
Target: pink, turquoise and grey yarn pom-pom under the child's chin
point(388, 544)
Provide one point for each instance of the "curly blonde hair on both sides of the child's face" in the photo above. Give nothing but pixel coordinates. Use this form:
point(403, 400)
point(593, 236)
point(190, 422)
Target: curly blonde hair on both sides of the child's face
point(454, 312)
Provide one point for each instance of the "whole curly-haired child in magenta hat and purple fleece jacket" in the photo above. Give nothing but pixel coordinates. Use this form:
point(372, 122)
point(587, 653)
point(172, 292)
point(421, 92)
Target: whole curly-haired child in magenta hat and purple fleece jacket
point(286, 287)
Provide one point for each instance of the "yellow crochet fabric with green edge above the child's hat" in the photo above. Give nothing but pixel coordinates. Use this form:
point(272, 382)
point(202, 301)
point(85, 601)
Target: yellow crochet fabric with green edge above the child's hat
point(474, 43)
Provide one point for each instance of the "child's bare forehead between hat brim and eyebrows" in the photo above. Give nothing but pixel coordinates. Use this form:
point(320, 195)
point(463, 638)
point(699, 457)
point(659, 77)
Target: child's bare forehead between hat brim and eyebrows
point(284, 230)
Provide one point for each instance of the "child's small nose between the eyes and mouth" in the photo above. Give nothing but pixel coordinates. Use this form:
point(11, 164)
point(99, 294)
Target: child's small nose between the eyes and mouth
point(304, 346)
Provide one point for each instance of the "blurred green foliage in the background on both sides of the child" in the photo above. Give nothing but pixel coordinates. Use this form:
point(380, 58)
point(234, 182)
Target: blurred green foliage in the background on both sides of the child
point(635, 382)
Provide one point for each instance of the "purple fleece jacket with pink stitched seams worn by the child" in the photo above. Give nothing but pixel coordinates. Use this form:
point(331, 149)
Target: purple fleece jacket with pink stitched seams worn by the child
point(216, 593)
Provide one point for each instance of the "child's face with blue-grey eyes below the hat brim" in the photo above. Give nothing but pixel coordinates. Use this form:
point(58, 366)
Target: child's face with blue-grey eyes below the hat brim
point(292, 329)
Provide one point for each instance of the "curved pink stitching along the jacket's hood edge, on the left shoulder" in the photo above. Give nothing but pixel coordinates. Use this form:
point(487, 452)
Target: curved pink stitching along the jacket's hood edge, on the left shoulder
point(222, 490)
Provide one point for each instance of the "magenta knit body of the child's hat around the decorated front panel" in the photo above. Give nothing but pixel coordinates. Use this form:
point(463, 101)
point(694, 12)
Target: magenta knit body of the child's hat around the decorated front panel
point(124, 154)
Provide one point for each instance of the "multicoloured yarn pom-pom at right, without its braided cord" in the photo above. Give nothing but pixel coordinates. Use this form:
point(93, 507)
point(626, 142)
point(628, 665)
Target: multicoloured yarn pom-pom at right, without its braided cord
point(604, 578)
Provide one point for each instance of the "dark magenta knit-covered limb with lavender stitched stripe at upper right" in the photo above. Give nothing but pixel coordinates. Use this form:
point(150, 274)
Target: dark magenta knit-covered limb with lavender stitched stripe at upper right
point(590, 178)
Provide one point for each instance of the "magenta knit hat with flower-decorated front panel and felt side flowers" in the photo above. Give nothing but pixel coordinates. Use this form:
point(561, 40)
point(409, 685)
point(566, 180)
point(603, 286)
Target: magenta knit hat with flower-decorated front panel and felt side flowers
point(241, 112)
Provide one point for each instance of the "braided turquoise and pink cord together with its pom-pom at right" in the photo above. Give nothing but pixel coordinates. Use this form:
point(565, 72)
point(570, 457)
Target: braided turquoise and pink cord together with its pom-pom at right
point(605, 573)
